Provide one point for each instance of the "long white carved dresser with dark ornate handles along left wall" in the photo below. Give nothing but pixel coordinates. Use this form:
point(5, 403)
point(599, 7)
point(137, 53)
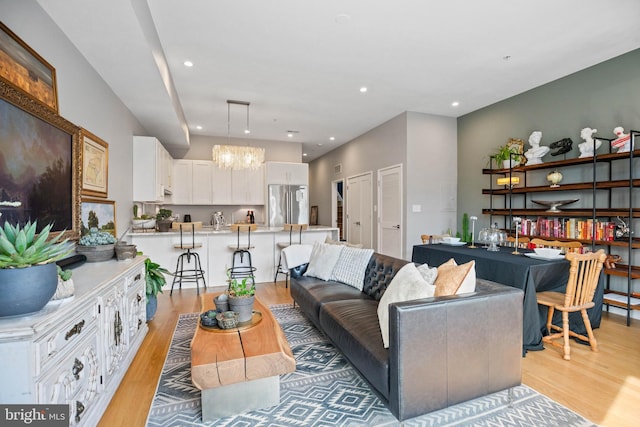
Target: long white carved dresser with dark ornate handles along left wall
point(76, 351)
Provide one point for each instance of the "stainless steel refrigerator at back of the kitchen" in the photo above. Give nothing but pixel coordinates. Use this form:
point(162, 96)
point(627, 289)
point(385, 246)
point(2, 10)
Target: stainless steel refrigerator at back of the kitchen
point(287, 204)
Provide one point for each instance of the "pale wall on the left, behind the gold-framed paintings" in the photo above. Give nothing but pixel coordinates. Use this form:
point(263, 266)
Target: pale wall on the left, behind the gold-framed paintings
point(83, 97)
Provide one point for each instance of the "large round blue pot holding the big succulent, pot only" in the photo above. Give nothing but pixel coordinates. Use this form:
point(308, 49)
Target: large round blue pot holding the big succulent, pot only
point(26, 290)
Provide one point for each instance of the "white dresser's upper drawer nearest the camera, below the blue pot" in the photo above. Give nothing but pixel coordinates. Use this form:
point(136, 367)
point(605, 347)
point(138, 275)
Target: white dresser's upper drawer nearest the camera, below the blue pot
point(65, 336)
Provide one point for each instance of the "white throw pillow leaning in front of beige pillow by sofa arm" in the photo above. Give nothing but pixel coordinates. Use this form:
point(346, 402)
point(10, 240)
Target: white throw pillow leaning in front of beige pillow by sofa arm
point(408, 284)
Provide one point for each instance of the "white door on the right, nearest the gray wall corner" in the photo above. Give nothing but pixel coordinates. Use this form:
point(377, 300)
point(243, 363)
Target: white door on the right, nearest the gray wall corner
point(390, 224)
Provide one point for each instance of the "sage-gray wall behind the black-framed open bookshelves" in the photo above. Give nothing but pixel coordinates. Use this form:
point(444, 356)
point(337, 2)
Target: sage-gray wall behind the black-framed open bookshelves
point(603, 96)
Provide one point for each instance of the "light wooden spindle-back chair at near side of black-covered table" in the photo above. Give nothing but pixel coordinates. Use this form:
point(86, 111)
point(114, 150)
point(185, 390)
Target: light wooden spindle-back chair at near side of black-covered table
point(584, 273)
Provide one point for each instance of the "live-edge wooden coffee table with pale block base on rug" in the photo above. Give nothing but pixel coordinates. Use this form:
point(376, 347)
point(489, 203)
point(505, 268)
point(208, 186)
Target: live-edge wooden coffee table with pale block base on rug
point(238, 369)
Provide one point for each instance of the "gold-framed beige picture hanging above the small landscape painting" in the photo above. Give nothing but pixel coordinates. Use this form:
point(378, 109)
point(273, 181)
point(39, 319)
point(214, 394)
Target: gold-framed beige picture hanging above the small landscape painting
point(95, 165)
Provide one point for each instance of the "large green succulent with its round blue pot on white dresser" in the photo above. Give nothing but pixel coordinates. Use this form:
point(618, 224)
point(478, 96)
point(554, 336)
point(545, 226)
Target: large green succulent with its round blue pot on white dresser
point(28, 270)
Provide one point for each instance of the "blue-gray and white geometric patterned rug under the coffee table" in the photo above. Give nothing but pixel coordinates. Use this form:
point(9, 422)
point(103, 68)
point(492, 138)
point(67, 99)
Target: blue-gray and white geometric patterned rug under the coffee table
point(326, 391)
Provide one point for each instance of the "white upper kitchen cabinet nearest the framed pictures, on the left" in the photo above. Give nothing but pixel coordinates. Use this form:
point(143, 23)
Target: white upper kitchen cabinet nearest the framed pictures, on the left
point(149, 170)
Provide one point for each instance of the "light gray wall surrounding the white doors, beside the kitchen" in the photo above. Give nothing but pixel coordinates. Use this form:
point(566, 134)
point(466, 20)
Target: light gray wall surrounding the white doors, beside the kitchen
point(426, 147)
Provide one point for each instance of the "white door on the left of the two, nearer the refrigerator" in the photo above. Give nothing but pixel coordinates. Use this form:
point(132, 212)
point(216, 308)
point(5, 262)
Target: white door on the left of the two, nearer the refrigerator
point(359, 208)
